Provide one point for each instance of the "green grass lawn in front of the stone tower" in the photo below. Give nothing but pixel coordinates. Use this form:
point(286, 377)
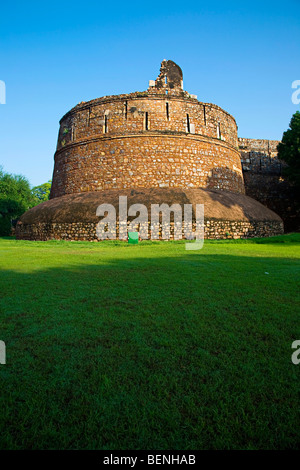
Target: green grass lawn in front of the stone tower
point(150, 346)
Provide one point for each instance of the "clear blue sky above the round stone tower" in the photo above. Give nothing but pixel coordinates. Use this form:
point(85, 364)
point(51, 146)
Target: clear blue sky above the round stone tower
point(240, 55)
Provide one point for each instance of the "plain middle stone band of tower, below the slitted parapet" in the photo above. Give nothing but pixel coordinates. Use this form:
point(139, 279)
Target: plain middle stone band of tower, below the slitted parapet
point(144, 161)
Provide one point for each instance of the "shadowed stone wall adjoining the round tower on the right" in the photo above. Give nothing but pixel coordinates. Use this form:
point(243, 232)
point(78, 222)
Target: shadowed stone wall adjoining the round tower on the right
point(264, 180)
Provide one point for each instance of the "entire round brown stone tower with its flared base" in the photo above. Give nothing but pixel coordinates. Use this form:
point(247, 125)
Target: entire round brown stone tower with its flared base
point(157, 146)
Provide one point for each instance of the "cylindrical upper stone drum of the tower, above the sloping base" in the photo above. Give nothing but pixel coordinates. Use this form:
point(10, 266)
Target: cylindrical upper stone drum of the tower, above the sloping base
point(158, 138)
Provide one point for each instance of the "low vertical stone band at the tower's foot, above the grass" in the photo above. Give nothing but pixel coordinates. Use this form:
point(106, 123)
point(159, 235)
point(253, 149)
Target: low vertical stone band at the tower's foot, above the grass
point(214, 229)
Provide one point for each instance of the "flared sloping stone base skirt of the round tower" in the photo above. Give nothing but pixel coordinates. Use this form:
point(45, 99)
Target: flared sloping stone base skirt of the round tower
point(73, 216)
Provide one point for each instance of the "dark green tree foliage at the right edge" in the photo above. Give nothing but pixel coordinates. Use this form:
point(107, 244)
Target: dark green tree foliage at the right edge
point(289, 151)
